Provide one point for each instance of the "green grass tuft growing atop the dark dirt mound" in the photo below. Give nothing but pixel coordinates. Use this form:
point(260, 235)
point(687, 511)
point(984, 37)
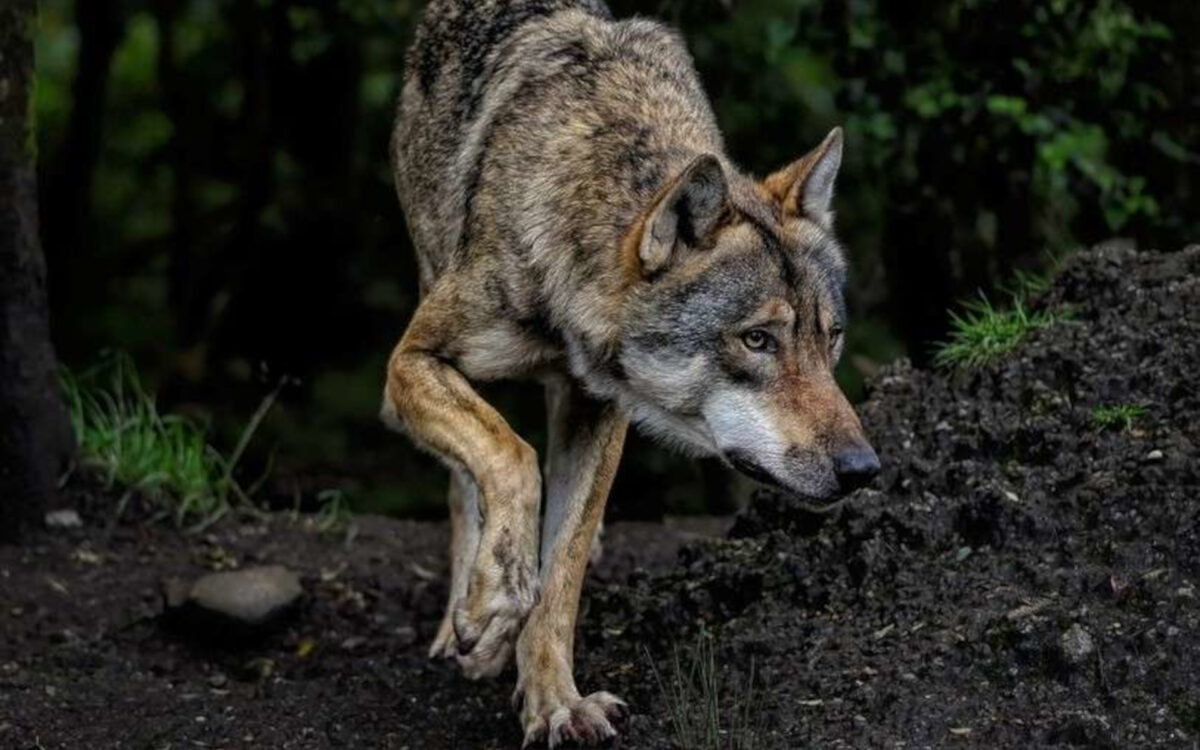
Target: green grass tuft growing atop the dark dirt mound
point(983, 333)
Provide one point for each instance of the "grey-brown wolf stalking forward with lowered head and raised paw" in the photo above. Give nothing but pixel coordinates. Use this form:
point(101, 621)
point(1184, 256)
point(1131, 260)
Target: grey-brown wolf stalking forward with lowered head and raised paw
point(578, 221)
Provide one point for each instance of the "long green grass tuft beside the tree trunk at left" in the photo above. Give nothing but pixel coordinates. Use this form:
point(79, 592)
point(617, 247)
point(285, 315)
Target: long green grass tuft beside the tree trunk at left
point(165, 457)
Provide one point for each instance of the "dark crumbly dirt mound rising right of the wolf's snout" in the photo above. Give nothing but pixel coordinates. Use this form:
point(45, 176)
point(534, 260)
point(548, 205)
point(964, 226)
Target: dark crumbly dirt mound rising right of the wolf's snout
point(1023, 577)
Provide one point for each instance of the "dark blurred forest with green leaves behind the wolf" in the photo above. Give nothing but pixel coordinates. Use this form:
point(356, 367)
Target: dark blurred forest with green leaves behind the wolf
point(218, 202)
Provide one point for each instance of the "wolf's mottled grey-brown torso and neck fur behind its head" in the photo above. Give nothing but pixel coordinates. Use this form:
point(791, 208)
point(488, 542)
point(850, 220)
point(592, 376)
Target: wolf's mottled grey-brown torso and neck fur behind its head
point(527, 166)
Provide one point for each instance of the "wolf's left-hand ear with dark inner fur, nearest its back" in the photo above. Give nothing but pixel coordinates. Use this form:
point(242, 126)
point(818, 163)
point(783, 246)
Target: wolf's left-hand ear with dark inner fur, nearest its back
point(685, 214)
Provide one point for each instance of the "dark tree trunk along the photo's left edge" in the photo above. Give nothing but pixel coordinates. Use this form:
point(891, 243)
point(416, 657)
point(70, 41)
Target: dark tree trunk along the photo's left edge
point(35, 434)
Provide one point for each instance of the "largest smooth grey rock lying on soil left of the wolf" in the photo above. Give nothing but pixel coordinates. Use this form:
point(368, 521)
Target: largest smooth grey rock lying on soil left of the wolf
point(235, 604)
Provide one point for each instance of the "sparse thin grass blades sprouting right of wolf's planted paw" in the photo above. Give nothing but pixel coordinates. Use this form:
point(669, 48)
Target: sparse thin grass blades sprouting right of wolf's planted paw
point(701, 717)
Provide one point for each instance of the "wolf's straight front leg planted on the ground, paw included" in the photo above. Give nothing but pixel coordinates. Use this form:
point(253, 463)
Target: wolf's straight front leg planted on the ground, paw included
point(586, 440)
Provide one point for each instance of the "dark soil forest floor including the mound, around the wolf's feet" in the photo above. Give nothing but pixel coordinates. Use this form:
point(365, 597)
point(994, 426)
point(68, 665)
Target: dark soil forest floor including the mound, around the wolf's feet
point(1022, 575)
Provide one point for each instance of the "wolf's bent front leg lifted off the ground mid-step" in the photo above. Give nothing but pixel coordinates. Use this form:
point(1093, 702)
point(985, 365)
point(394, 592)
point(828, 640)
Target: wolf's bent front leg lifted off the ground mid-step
point(433, 403)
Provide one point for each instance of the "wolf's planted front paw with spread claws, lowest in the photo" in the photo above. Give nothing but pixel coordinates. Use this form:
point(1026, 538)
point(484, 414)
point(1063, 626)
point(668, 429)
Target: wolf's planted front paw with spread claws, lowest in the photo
point(585, 722)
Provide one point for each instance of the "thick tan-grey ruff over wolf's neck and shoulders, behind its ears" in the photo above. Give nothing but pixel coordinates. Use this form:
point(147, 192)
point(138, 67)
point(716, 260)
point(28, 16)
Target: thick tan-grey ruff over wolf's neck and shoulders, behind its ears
point(620, 112)
